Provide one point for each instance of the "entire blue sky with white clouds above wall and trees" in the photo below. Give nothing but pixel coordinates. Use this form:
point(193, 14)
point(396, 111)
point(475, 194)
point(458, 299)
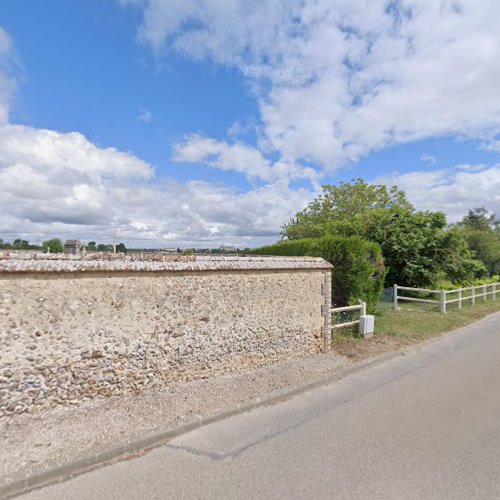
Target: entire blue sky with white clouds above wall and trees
point(197, 123)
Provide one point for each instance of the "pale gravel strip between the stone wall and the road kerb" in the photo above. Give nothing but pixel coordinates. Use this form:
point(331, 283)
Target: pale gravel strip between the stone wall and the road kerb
point(34, 443)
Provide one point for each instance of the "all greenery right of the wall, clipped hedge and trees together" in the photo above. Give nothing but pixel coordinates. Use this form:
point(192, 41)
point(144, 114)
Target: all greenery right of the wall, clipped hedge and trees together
point(412, 247)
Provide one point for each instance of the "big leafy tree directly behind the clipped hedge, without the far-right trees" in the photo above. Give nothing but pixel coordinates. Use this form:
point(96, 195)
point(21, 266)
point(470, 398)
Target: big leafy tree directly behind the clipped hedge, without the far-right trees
point(414, 243)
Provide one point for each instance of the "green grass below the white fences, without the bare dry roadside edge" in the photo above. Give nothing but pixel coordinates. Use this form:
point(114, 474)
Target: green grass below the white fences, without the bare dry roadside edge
point(419, 321)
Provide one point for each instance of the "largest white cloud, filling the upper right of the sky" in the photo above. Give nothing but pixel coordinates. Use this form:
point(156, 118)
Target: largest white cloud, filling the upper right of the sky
point(342, 78)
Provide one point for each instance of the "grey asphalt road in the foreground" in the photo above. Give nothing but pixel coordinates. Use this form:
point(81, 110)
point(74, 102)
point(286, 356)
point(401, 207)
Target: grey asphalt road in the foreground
point(423, 425)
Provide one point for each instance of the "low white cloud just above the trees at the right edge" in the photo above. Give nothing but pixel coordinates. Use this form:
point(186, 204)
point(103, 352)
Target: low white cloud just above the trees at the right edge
point(451, 190)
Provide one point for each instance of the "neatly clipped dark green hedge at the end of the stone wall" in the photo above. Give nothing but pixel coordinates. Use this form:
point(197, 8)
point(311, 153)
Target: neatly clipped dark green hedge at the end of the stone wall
point(358, 266)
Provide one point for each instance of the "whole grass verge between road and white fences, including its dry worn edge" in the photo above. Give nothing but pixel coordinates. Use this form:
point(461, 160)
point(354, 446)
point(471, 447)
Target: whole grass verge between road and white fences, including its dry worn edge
point(413, 323)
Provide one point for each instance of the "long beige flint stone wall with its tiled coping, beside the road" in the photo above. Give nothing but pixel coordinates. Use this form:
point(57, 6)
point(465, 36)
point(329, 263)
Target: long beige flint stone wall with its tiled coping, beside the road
point(71, 329)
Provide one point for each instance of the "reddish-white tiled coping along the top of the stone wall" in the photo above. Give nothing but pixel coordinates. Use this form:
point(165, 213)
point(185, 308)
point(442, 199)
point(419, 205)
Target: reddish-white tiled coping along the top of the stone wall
point(59, 263)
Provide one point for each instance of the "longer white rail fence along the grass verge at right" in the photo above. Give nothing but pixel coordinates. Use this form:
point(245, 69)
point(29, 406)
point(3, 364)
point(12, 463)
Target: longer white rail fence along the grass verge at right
point(458, 295)
